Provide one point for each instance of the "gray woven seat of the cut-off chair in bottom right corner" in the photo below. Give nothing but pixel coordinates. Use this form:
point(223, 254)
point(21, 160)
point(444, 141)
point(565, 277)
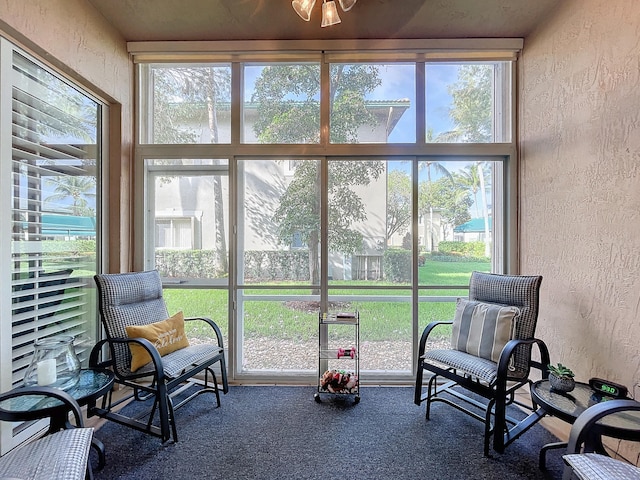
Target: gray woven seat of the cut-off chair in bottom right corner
point(593, 466)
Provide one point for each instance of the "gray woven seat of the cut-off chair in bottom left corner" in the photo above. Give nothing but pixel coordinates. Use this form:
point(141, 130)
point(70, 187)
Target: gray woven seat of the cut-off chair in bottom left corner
point(61, 456)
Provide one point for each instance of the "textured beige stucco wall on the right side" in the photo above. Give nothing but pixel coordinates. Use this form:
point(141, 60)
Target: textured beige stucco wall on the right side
point(579, 131)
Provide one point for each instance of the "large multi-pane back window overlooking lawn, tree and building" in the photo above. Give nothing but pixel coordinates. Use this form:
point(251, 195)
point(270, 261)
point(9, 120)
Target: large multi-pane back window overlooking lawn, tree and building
point(359, 179)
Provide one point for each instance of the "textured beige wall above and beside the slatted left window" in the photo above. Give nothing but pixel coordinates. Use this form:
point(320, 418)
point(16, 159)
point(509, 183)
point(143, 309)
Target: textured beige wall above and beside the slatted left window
point(73, 37)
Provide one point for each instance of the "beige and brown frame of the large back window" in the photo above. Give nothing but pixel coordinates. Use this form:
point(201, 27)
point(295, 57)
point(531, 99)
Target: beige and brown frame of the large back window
point(419, 51)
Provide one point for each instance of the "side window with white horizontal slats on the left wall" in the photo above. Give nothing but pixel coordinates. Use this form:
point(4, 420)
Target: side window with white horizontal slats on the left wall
point(50, 178)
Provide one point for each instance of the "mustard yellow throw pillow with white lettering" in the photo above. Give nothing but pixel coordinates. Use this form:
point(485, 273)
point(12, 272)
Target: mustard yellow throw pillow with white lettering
point(167, 336)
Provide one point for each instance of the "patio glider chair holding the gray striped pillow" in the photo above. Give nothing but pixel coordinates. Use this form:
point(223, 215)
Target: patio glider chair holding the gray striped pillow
point(490, 355)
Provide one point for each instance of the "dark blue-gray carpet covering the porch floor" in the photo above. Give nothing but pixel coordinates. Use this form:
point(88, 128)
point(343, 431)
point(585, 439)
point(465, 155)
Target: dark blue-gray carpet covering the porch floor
point(282, 433)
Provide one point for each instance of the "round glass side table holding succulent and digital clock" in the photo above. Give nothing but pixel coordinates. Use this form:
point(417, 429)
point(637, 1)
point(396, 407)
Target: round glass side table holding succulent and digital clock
point(568, 406)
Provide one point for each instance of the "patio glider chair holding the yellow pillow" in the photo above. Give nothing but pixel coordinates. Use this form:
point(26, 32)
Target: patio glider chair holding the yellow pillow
point(136, 321)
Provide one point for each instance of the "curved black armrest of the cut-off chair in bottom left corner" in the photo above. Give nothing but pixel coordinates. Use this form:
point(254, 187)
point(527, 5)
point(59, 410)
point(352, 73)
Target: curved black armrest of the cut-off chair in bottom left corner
point(67, 402)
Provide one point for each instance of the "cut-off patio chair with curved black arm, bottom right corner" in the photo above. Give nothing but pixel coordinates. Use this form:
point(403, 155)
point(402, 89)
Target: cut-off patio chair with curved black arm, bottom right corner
point(586, 458)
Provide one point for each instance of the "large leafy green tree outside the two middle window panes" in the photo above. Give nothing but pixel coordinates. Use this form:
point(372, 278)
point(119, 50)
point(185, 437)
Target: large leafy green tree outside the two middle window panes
point(288, 111)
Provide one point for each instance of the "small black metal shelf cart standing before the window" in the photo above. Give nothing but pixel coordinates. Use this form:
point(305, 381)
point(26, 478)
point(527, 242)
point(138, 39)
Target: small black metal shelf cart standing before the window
point(338, 363)
